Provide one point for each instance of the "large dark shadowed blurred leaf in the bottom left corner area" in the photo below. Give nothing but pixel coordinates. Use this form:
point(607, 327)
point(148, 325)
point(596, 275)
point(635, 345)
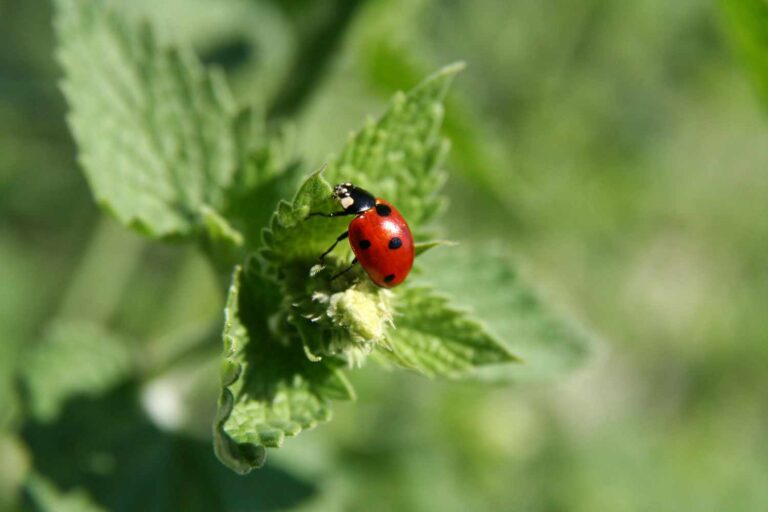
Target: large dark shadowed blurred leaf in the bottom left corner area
point(107, 453)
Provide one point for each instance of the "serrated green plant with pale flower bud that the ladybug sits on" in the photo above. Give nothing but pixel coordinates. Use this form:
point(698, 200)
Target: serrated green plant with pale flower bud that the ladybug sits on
point(167, 152)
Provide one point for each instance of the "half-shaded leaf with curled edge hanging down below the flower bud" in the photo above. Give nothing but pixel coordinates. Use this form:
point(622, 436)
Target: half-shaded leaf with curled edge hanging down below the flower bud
point(269, 388)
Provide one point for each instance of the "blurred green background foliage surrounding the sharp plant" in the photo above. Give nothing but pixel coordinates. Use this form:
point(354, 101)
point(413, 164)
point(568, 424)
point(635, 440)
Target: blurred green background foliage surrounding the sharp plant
point(615, 149)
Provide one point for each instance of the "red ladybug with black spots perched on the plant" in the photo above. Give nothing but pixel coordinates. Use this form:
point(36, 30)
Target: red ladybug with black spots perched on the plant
point(379, 236)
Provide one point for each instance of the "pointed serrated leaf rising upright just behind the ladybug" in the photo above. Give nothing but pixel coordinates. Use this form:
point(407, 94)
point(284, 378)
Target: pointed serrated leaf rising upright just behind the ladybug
point(399, 155)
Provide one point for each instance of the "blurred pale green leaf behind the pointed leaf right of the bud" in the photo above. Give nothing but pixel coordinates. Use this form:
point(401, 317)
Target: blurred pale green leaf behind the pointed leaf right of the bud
point(483, 280)
